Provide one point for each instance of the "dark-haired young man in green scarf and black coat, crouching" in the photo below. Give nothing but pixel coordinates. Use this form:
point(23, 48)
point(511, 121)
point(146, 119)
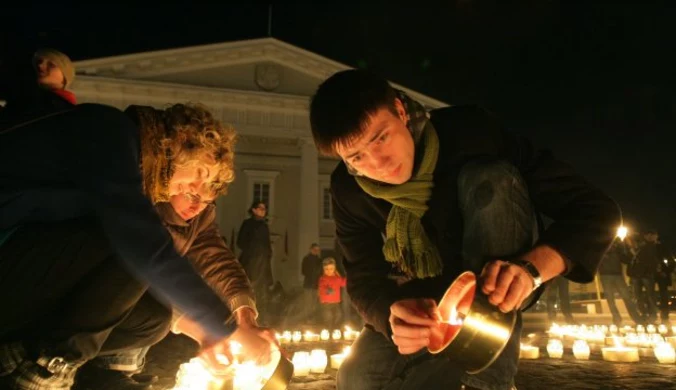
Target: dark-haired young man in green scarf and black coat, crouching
point(449, 192)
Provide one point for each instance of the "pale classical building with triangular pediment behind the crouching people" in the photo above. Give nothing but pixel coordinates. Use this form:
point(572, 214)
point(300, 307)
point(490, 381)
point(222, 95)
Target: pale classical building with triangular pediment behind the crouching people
point(262, 87)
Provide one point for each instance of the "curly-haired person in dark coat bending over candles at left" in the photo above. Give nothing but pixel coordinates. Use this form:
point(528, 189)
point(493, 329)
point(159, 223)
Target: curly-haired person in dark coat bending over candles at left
point(80, 242)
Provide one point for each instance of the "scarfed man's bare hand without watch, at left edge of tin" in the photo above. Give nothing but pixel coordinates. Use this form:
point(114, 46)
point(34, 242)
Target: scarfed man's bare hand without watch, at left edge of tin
point(412, 321)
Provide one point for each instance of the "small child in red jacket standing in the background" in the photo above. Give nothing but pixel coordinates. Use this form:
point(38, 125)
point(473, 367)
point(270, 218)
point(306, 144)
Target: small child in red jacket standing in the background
point(329, 294)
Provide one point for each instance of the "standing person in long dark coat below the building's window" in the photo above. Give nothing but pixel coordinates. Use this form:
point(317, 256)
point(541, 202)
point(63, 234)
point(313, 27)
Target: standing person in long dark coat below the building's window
point(256, 256)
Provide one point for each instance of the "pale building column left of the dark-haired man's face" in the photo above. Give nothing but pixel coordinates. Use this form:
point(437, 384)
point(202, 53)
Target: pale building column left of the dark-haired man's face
point(308, 198)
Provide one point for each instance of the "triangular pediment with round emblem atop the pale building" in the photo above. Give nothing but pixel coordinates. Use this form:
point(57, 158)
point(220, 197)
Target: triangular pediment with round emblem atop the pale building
point(264, 65)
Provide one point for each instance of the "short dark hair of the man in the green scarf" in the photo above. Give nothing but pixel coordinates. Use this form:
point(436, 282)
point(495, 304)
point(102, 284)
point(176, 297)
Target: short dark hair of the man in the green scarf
point(341, 108)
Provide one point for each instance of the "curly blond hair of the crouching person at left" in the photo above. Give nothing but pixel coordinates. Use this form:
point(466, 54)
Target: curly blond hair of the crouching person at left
point(196, 137)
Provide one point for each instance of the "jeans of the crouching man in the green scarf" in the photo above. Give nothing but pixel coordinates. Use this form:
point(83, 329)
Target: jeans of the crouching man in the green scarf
point(499, 221)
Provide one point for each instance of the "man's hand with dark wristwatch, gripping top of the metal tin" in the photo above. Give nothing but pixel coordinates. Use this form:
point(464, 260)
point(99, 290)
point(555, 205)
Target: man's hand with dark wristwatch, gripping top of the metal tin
point(508, 285)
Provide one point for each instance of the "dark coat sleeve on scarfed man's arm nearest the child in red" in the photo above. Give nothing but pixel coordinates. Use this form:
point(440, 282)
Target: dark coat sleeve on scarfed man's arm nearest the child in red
point(370, 290)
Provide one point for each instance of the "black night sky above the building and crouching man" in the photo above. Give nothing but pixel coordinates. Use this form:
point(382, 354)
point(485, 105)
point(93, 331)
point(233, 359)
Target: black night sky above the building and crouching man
point(594, 83)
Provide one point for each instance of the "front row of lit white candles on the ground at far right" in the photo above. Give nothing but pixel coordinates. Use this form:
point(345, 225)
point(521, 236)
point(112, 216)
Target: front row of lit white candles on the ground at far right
point(664, 352)
